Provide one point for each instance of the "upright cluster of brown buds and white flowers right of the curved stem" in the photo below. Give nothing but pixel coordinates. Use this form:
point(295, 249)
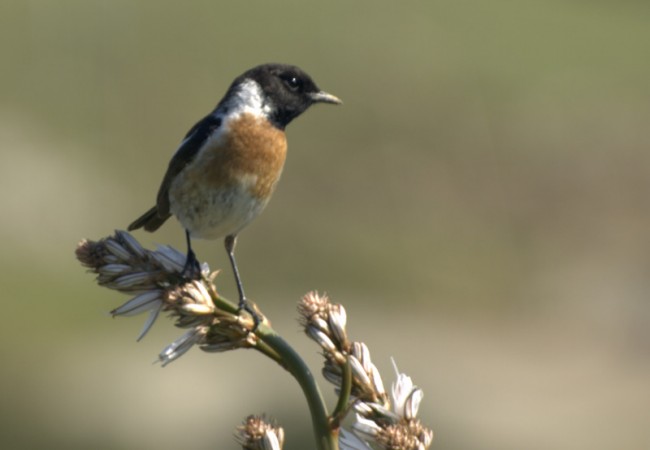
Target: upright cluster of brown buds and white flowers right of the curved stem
point(390, 423)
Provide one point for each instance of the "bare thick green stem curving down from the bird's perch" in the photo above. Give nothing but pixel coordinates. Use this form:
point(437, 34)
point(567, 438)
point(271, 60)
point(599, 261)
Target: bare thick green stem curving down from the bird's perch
point(326, 439)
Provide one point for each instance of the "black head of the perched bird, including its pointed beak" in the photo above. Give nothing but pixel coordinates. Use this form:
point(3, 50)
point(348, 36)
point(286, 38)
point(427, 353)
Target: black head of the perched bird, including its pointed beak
point(287, 91)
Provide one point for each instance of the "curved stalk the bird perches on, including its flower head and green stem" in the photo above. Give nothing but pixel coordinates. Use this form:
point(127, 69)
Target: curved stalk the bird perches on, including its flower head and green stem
point(212, 322)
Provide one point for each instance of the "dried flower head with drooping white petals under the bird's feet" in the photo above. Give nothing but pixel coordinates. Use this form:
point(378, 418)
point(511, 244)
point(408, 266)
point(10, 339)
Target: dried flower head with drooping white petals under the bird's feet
point(155, 279)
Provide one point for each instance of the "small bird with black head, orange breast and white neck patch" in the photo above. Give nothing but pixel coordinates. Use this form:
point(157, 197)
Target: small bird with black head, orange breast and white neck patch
point(227, 166)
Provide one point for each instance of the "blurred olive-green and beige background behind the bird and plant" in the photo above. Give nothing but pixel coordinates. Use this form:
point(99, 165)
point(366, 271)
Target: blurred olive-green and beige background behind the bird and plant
point(479, 204)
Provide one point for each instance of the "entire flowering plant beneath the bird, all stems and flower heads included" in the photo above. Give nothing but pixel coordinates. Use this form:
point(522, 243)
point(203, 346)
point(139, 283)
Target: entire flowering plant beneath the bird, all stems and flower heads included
point(153, 280)
